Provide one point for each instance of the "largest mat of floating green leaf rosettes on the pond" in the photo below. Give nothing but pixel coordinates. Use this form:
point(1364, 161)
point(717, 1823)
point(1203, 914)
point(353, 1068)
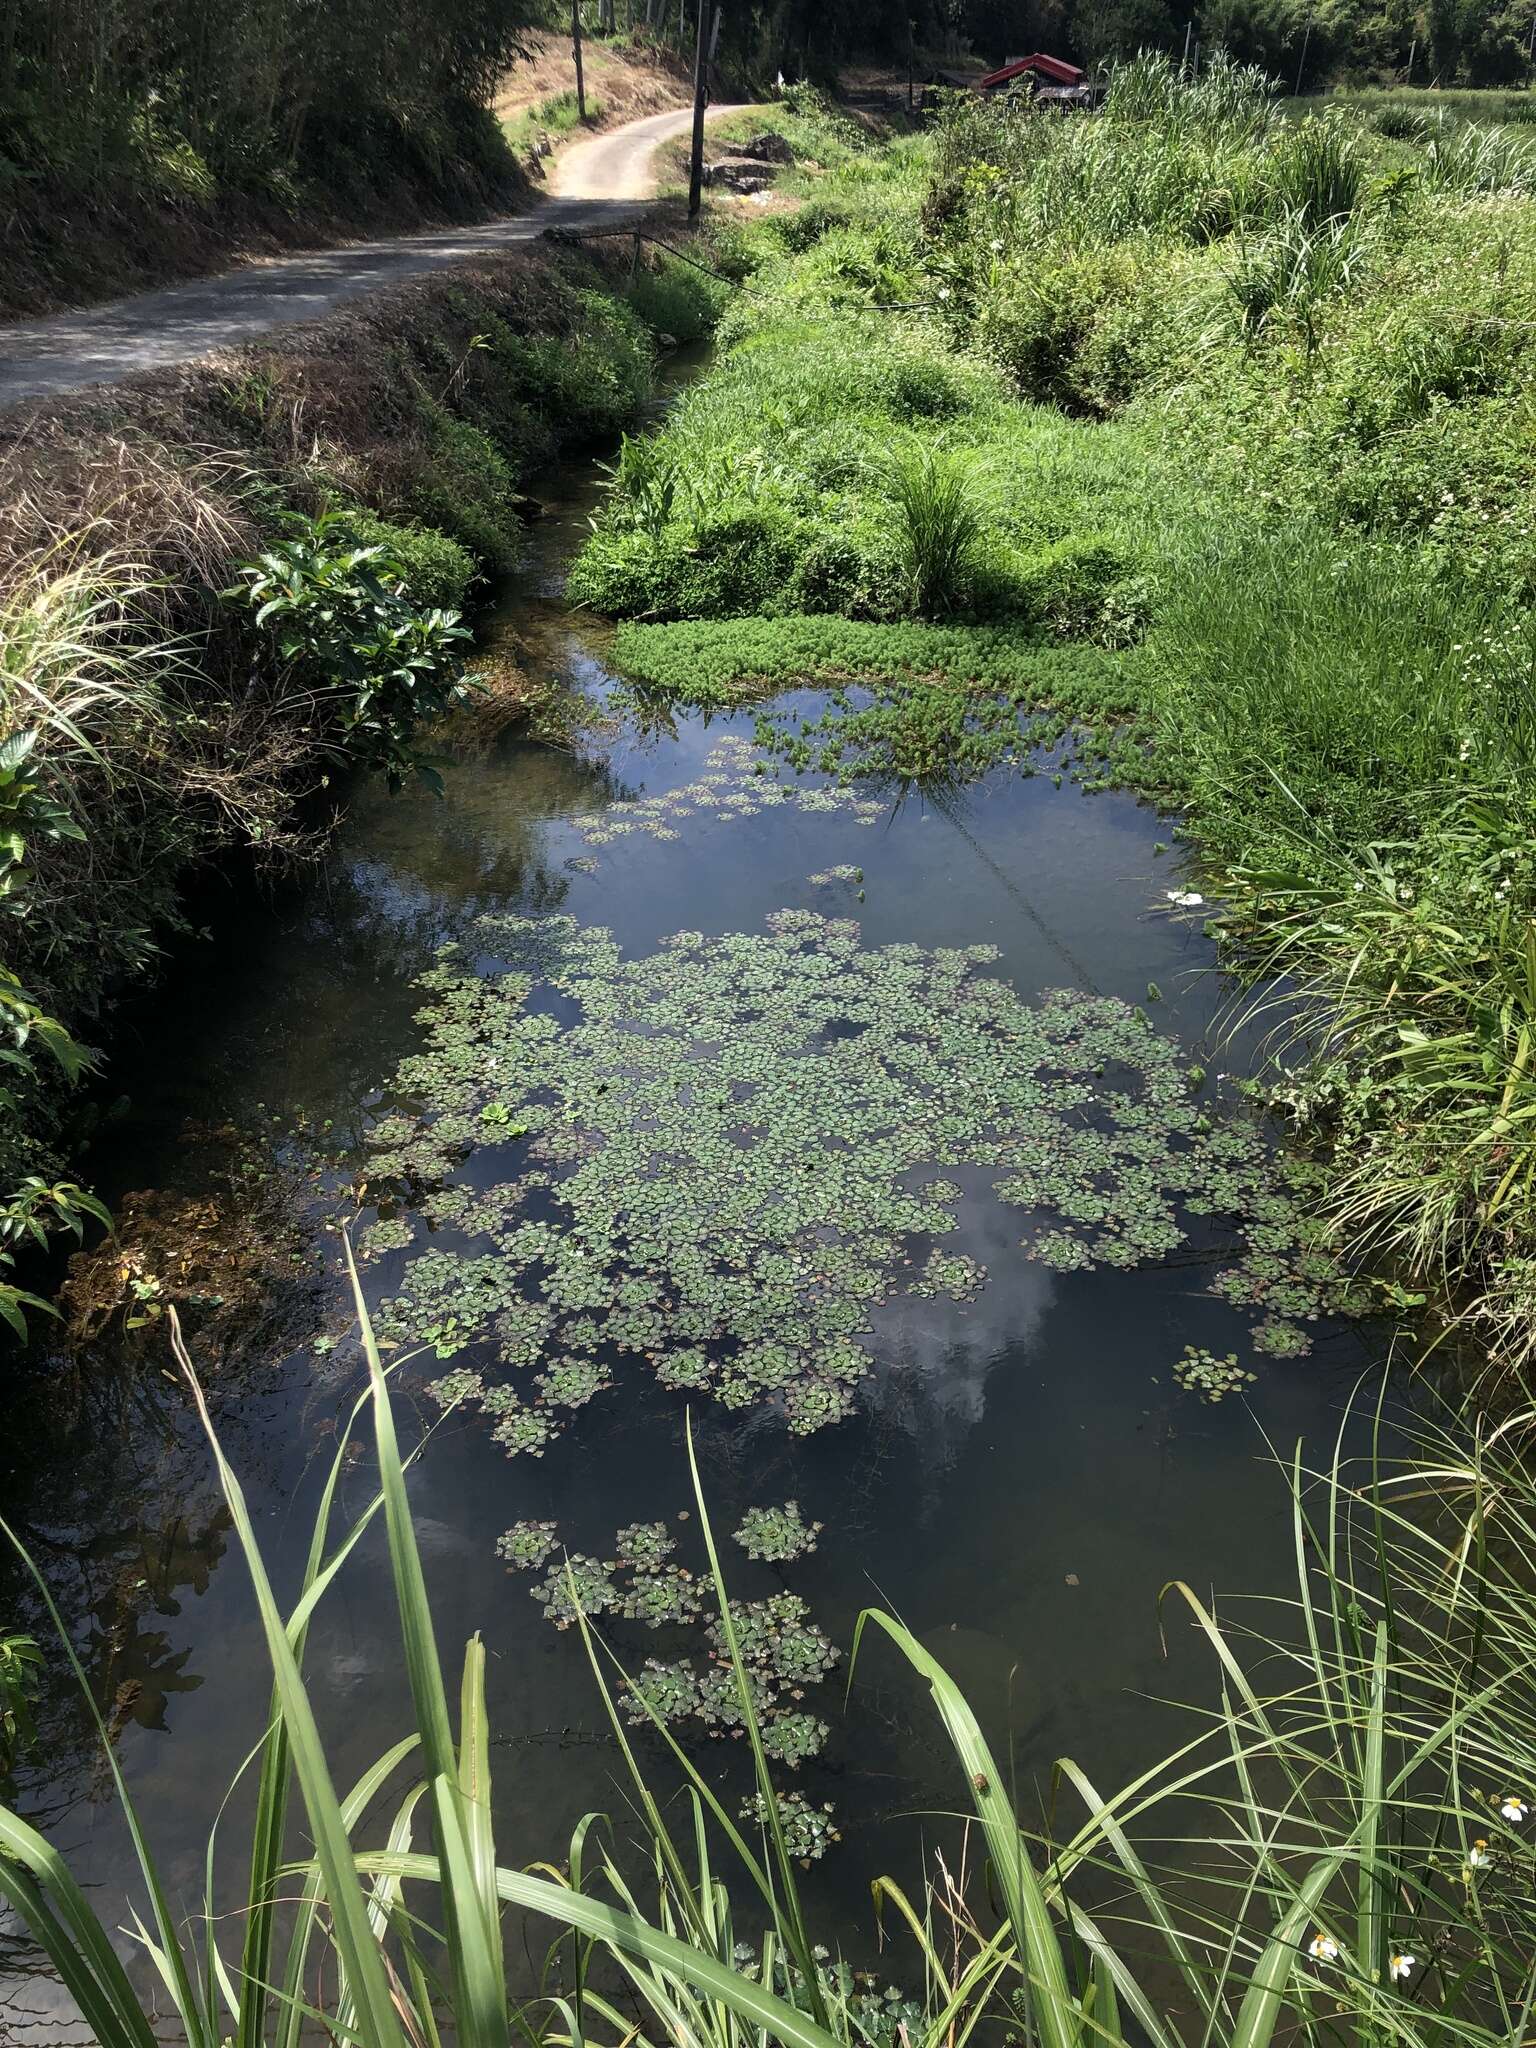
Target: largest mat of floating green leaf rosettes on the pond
point(728, 1162)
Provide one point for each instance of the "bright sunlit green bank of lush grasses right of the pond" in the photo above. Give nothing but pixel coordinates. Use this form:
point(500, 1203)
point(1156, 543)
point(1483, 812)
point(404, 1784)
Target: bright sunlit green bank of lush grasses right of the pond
point(1222, 423)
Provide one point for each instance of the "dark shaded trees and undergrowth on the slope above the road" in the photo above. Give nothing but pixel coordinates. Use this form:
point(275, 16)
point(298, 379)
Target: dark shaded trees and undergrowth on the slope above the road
point(144, 138)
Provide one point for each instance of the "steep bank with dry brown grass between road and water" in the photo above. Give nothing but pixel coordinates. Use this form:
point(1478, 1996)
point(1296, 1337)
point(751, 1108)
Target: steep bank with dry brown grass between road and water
point(224, 585)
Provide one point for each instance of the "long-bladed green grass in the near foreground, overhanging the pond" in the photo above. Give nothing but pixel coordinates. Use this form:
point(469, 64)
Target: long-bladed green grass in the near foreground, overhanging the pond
point(1340, 1850)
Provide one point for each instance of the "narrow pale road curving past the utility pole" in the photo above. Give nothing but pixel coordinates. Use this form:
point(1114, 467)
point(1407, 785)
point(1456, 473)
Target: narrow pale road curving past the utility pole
point(595, 183)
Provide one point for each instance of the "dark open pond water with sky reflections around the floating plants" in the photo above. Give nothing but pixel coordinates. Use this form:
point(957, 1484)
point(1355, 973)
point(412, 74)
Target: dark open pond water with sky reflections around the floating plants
point(1021, 1476)
